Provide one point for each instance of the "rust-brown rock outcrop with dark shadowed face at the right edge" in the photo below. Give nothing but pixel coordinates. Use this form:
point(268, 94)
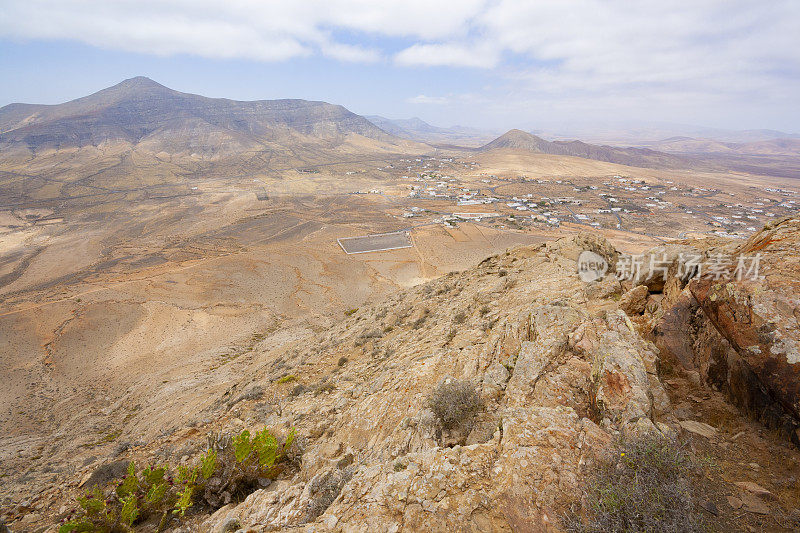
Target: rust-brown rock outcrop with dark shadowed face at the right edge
point(739, 330)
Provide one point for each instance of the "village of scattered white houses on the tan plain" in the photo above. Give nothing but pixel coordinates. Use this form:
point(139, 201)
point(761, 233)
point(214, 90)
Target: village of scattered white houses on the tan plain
point(448, 191)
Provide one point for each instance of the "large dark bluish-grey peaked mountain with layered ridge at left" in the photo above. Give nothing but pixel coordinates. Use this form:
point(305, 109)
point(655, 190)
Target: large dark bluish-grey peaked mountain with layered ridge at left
point(141, 111)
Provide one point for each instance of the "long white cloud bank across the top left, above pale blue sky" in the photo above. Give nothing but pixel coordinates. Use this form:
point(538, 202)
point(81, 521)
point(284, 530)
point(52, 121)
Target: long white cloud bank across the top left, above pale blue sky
point(263, 30)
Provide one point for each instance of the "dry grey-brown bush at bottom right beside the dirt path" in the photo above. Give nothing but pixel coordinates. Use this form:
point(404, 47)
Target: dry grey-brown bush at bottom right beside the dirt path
point(644, 485)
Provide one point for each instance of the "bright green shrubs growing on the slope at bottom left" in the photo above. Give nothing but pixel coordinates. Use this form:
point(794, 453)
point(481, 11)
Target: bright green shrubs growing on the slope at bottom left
point(231, 467)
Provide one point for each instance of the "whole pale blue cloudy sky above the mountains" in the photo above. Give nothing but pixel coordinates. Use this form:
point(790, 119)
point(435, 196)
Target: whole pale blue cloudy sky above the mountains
point(495, 64)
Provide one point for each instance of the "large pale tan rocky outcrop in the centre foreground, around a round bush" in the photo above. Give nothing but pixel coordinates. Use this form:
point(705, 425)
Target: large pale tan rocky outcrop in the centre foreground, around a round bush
point(560, 375)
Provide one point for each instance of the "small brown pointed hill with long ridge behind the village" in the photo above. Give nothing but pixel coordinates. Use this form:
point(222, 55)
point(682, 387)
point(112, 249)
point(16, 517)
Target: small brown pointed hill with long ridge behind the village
point(640, 157)
